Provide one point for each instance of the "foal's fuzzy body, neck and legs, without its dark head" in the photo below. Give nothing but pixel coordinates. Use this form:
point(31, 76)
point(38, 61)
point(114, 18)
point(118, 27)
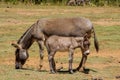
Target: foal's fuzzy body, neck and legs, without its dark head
point(58, 43)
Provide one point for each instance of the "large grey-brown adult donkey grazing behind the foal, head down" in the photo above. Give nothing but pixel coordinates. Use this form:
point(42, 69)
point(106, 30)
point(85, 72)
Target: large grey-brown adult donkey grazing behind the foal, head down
point(44, 28)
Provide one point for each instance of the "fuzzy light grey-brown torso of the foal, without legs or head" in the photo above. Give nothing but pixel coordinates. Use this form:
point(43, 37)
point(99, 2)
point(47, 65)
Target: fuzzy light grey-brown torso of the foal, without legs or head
point(57, 43)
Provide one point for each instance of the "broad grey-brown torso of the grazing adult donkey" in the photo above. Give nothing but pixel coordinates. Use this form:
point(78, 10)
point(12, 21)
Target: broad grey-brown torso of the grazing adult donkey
point(76, 26)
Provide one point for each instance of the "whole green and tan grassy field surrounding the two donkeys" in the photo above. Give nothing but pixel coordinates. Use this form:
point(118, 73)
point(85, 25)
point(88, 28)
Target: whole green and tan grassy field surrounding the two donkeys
point(106, 64)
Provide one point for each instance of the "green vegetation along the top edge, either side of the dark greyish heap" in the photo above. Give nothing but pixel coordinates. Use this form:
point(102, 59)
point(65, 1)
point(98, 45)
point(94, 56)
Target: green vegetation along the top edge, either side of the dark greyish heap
point(63, 2)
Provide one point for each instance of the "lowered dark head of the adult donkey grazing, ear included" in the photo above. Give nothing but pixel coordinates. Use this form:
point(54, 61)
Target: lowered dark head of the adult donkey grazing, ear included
point(21, 55)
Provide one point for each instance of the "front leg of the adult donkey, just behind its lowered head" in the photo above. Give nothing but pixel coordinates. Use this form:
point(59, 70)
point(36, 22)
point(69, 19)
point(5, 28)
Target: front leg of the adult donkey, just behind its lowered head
point(41, 49)
